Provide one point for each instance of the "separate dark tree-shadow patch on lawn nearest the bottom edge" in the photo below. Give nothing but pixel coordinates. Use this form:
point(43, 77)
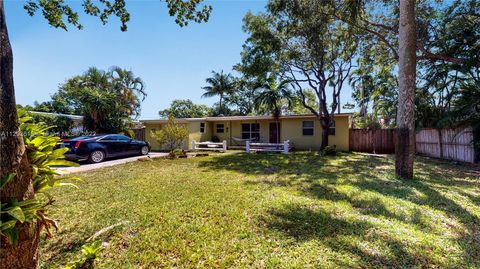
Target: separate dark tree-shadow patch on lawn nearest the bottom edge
point(305, 224)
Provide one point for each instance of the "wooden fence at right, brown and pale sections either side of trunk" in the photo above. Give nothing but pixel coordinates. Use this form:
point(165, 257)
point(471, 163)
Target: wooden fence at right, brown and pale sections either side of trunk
point(451, 144)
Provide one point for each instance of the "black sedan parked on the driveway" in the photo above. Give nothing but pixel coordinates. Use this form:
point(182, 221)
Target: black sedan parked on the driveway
point(97, 148)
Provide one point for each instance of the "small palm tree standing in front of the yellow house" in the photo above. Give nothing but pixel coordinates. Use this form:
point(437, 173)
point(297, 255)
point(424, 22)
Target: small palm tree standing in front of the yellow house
point(272, 98)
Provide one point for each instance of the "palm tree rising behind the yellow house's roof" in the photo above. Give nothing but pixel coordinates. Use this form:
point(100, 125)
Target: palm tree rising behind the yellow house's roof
point(219, 84)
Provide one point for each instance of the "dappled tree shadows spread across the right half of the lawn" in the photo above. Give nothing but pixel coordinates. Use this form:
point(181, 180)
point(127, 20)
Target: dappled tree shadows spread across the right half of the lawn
point(319, 177)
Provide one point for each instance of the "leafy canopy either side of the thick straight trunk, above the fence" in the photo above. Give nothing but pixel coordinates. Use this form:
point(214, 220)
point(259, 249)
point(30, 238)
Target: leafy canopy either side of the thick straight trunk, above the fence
point(448, 49)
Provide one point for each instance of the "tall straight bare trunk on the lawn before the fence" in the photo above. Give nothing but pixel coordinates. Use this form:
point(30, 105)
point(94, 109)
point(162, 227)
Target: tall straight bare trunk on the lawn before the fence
point(405, 147)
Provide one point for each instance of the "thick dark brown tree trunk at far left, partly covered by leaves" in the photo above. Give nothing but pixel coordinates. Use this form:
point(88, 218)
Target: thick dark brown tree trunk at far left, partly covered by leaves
point(13, 159)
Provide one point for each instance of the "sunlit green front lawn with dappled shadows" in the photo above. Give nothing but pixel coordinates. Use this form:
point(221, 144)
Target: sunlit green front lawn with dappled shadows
point(272, 211)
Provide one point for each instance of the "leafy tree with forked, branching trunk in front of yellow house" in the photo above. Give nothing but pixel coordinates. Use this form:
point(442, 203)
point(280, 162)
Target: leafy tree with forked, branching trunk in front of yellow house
point(312, 49)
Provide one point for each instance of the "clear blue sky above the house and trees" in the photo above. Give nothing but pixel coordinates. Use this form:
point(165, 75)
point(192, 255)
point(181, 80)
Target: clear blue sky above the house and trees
point(172, 61)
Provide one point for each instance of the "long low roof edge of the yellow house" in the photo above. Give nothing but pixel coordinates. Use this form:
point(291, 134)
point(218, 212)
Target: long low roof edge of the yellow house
point(243, 118)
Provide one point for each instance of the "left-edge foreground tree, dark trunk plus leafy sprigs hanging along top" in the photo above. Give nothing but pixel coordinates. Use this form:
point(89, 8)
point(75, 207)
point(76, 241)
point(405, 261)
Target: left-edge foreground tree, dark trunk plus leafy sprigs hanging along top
point(13, 155)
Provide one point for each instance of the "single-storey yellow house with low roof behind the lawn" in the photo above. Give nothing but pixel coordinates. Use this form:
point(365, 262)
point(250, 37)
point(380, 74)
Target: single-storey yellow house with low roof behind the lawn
point(304, 131)
